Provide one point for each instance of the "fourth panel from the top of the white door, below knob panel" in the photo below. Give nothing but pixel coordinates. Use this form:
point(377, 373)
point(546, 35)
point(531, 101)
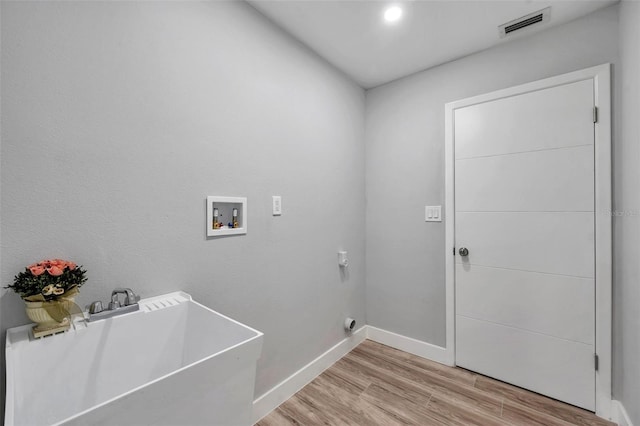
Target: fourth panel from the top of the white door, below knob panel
point(545, 303)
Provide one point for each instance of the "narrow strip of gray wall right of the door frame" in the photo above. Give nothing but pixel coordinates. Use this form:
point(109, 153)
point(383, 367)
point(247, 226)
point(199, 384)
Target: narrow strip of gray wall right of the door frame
point(626, 378)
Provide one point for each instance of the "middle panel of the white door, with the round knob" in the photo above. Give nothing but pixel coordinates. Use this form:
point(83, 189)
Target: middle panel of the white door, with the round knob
point(549, 242)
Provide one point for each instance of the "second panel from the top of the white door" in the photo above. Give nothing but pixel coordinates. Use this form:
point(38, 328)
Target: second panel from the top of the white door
point(548, 180)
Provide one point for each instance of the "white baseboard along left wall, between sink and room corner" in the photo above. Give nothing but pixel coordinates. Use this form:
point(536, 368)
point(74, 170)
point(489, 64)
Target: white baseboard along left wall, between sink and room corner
point(292, 384)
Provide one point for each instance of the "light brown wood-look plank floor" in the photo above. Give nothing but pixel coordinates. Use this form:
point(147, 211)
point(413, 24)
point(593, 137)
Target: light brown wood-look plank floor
point(378, 385)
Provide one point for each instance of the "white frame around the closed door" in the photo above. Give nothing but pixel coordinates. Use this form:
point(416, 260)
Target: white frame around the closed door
point(601, 75)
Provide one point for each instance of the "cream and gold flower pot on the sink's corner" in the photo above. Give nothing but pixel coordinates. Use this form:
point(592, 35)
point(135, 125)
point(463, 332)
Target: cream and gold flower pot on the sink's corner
point(43, 313)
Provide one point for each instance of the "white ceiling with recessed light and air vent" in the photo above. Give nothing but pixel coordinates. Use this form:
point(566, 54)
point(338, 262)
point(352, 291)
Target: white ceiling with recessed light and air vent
point(353, 36)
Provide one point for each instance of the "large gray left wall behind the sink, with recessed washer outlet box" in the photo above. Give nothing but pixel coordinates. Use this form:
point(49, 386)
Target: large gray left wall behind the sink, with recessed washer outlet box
point(119, 118)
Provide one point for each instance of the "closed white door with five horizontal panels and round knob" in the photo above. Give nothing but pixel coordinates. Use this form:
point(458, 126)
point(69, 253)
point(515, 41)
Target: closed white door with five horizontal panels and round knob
point(524, 210)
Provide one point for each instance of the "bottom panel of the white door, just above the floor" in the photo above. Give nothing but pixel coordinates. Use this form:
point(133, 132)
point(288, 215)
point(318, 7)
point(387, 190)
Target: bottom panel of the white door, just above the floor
point(558, 368)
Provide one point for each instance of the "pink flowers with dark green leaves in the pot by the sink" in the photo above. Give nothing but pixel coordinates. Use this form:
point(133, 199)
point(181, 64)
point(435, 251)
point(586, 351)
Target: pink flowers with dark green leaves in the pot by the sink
point(49, 280)
